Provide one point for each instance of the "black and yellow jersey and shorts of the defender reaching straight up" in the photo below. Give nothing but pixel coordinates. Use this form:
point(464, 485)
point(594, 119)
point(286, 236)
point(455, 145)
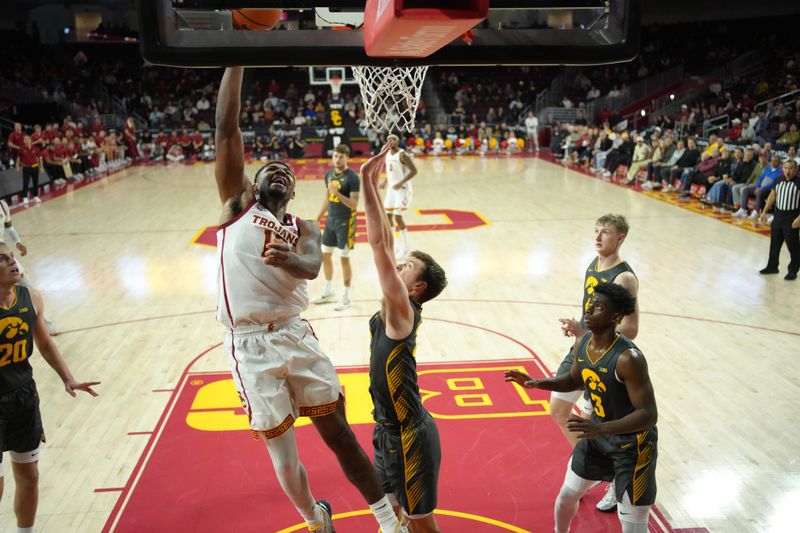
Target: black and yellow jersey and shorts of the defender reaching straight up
point(405, 440)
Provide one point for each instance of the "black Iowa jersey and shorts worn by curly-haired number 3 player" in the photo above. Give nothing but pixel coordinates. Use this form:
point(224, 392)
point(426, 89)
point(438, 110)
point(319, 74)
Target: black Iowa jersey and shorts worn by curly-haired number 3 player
point(630, 459)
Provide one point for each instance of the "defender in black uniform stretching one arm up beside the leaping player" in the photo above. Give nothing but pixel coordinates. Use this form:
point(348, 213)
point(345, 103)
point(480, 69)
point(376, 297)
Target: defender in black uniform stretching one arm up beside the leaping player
point(406, 441)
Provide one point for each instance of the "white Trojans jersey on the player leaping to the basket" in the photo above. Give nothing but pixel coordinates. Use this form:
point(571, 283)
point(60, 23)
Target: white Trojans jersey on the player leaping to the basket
point(251, 292)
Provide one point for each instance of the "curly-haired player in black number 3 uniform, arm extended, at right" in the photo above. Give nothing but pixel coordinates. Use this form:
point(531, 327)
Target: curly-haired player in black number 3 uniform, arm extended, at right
point(620, 441)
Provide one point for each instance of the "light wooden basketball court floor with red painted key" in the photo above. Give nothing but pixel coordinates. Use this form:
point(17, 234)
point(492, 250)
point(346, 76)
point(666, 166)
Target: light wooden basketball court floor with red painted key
point(134, 293)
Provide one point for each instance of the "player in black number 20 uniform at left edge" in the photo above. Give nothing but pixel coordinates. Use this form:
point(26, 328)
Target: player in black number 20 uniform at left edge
point(22, 325)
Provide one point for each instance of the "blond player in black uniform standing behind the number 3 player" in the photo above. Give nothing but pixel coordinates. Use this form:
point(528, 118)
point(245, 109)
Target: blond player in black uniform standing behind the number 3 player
point(610, 232)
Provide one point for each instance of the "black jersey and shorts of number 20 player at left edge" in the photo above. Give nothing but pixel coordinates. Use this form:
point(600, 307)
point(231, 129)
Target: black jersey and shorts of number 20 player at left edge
point(20, 420)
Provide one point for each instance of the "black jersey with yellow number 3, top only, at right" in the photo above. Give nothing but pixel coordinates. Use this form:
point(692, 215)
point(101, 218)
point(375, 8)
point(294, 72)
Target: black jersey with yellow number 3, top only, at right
point(609, 396)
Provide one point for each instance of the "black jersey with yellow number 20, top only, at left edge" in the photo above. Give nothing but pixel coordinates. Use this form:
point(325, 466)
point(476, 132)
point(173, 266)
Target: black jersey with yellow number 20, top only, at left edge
point(17, 324)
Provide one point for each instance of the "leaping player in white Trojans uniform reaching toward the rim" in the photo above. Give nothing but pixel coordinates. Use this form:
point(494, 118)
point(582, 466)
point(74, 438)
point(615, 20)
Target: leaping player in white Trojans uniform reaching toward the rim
point(265, 257)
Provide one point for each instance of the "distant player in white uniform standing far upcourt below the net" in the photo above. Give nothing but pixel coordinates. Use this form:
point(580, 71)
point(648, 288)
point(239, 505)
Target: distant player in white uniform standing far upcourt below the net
point(400, 170)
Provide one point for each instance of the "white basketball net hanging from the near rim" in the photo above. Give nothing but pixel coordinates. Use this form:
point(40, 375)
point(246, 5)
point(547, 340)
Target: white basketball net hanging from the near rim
point(391, 95)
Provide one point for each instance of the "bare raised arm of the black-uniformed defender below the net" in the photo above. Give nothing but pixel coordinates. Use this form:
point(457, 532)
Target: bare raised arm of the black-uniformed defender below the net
point(399, 313)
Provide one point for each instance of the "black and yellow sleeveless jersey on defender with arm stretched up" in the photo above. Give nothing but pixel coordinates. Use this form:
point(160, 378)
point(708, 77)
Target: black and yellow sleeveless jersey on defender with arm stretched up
point(393, 373)
